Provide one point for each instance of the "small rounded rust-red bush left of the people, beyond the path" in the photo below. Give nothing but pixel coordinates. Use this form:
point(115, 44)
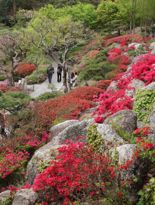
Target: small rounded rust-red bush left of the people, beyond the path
point(25, 69)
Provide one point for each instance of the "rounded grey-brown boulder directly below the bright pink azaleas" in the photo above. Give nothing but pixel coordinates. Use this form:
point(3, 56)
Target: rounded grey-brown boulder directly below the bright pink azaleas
point(125, 119)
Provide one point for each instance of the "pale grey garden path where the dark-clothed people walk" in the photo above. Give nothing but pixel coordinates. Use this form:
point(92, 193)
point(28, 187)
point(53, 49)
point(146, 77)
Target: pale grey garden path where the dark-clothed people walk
point(39, 89)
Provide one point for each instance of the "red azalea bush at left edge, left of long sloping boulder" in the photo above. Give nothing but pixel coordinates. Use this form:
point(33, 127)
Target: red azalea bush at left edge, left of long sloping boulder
point(15, 154)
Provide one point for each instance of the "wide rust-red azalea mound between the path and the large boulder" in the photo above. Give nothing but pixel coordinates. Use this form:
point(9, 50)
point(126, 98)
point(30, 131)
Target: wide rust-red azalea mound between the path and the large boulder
point(65, 107)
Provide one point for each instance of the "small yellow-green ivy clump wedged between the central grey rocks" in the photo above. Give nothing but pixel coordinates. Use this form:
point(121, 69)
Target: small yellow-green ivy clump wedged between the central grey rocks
point(95, 139)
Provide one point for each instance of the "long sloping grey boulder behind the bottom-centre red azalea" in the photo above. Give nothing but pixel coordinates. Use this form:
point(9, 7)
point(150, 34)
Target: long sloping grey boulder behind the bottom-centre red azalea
point(45, 154)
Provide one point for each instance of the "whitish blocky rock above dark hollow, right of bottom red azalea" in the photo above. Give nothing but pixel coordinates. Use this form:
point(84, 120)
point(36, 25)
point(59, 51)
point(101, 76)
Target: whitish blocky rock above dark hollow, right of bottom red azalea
point(125, 152)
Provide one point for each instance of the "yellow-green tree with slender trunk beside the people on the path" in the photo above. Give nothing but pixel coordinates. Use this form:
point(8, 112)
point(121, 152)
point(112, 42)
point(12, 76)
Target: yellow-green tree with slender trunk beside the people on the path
point(54, 38)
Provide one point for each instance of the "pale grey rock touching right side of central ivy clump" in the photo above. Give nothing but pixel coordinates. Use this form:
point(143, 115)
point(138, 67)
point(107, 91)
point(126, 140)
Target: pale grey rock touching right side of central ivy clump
point(109, 135)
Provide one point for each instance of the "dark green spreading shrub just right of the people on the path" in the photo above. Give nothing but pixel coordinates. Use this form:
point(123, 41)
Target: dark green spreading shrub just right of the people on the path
point(96, 68)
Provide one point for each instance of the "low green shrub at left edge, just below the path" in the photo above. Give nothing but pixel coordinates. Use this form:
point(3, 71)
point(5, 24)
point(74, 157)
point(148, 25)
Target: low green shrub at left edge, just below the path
point(13, 101)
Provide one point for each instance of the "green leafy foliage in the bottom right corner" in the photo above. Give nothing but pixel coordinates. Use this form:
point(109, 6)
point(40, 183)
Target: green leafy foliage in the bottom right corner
point(147, 195)
